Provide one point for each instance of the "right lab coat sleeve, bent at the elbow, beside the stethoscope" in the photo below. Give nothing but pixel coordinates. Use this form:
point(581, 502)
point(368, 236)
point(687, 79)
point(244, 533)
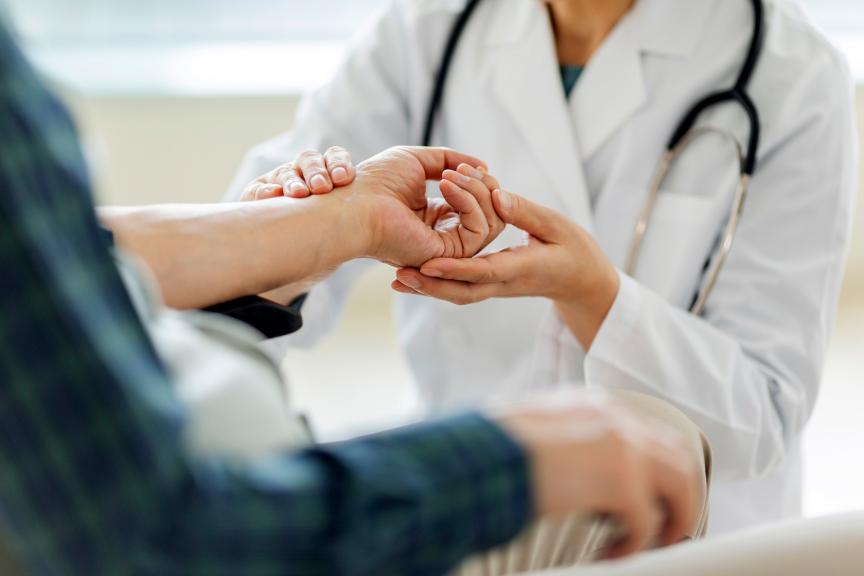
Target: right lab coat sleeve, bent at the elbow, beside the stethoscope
point(748, 371)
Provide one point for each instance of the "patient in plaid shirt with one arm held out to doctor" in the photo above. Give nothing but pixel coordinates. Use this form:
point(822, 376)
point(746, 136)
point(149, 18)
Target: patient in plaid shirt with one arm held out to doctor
point(103, 467)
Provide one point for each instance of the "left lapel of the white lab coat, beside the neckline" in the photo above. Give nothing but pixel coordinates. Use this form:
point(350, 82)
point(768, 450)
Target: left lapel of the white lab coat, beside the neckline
point(525, 79)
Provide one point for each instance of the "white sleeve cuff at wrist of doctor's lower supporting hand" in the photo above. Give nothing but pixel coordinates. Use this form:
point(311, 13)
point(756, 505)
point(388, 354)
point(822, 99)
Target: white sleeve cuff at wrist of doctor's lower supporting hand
point(616, 329)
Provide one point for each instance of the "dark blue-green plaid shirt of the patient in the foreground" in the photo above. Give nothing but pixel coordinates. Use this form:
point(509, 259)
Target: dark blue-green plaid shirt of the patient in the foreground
point(93, 475)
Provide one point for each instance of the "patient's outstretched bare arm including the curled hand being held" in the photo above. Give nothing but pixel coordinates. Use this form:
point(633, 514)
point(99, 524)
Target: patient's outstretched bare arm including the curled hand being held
point(206, 254)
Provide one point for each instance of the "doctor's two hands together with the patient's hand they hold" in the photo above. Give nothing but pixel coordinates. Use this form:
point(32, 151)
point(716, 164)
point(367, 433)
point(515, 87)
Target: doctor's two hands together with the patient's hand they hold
point(434, 241)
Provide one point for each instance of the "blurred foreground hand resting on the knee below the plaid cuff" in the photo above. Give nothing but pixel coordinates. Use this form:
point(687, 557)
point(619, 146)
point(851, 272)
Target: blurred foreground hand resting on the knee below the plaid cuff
point(590, 456)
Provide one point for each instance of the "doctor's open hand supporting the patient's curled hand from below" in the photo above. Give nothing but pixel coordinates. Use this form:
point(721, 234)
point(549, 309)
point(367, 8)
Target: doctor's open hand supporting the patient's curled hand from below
point(559, 261)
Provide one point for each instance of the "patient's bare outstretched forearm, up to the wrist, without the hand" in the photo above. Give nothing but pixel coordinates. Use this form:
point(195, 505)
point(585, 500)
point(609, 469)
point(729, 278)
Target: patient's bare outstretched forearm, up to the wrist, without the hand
point(207, 254)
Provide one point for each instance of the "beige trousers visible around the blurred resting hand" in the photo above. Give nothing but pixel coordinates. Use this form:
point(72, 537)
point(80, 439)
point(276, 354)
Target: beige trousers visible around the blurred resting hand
point(576, 541)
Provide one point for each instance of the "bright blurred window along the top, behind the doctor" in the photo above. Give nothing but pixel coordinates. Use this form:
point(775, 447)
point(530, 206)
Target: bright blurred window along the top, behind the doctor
point(218, 46)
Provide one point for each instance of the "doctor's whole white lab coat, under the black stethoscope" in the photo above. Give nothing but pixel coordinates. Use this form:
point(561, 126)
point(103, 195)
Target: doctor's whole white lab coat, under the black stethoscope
point(748, 372)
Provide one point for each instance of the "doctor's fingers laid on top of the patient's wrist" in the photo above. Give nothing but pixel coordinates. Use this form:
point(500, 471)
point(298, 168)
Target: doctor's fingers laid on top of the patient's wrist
point(310, 173)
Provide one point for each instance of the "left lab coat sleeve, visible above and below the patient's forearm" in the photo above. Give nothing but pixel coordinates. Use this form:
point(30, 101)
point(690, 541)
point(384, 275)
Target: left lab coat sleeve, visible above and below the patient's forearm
point(363, 108)
